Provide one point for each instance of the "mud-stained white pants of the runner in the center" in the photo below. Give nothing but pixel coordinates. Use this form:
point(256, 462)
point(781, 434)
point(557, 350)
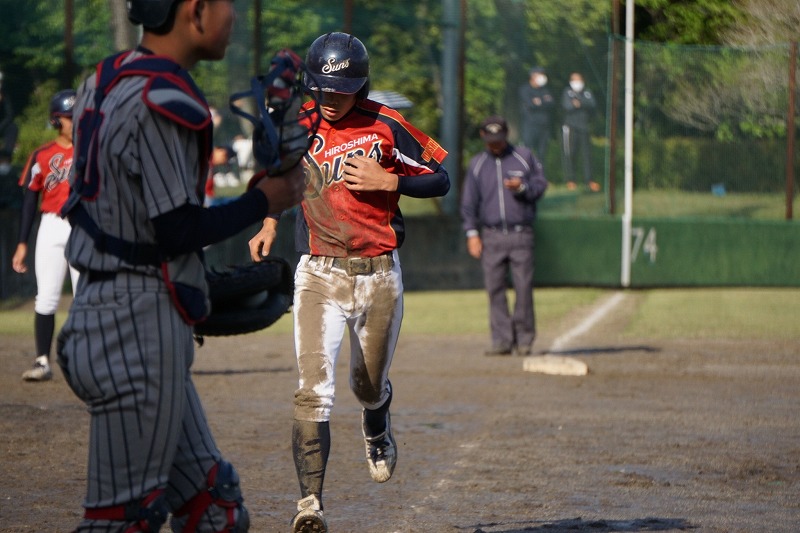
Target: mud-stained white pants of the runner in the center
point(328, 301)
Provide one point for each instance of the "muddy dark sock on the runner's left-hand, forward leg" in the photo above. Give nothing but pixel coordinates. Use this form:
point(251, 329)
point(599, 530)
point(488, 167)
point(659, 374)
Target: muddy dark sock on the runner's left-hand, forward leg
point(311, 444)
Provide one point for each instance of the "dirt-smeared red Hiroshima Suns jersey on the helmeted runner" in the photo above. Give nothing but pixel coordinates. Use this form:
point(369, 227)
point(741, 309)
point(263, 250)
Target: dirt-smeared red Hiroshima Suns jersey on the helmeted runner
point(339, 222)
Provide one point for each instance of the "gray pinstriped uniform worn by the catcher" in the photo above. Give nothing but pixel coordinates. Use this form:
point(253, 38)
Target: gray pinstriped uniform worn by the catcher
point(124, 348)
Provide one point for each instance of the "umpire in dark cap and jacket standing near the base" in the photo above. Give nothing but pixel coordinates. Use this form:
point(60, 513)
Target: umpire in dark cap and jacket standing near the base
point(498, 207)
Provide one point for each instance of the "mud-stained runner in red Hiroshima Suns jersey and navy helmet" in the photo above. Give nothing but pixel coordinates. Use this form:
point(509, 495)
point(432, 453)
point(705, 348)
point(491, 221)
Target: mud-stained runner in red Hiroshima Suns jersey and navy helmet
point(362, 159)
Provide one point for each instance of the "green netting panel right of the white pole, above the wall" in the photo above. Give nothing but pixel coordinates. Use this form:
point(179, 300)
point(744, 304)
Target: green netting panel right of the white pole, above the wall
point(709, 130)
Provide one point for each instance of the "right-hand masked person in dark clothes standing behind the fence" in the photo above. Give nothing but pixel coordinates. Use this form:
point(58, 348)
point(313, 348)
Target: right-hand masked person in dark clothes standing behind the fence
point(578, 104)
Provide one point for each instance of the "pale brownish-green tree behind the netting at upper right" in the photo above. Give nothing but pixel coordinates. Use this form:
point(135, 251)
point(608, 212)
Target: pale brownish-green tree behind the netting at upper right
point(740, 90)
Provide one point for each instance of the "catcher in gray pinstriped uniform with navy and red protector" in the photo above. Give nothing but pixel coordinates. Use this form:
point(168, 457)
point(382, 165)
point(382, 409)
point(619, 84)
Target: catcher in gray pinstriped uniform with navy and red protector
point(143, 144)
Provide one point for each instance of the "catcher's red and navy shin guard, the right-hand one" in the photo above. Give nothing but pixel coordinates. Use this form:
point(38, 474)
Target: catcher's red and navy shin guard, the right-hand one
point(225, 494)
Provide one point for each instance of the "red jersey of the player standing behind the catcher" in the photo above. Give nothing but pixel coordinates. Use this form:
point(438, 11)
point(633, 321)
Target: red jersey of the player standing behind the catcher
point(47, 172)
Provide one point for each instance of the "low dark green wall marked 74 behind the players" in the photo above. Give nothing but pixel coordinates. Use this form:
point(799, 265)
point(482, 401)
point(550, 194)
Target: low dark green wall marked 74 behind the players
point(569, 252)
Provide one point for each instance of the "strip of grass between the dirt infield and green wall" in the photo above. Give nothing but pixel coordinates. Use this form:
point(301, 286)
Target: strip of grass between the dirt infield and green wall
point(660, 313)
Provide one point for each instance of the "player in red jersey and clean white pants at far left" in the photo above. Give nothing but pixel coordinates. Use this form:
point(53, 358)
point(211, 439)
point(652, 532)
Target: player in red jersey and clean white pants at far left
point(46, 174)
